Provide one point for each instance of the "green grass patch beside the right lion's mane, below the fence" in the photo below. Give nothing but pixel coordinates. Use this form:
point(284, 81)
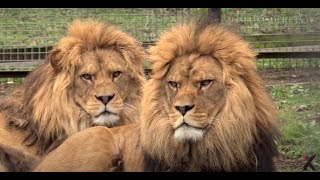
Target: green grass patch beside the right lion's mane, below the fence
point(300, 118)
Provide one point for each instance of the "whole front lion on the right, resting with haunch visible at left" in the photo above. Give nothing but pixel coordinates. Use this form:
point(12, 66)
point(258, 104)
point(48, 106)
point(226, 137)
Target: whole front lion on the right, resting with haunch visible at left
point(205, 108)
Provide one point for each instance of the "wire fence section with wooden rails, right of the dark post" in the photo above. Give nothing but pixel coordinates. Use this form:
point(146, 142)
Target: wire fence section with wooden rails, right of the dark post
point(286, 37)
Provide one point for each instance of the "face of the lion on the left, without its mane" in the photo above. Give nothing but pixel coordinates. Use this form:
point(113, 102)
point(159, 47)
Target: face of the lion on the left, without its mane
point(101, 86)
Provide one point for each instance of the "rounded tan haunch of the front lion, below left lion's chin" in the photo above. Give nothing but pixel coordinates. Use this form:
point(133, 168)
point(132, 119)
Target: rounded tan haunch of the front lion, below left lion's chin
point(93, 149)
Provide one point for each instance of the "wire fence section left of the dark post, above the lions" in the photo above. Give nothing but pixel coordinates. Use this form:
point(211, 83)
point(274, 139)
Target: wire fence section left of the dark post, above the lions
point(26, 35)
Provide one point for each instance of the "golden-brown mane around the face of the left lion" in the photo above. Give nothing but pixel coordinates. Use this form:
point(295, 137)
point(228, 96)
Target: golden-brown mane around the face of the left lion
point(44, 106)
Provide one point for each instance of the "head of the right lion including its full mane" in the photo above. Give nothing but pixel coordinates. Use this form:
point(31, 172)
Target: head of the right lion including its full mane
point(205, 106)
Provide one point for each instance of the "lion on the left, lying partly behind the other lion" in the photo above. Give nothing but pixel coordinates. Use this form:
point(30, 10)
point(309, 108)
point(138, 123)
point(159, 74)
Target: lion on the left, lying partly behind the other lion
point(92, 76)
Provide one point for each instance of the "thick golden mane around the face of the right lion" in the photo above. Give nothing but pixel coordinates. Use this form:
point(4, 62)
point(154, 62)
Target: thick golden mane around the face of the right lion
point(247, 120)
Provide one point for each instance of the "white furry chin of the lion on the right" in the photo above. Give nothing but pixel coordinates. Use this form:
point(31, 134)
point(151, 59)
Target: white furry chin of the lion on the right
point(188, 133)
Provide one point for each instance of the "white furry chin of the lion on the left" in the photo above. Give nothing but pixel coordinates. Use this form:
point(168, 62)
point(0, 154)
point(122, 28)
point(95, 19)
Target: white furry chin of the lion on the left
point(106, 119)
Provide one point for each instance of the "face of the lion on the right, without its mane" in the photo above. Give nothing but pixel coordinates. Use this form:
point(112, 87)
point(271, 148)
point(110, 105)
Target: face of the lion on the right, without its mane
point(195, 94)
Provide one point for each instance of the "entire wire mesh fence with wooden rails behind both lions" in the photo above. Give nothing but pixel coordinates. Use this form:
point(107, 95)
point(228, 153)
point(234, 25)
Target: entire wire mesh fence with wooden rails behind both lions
point(28, 34)
